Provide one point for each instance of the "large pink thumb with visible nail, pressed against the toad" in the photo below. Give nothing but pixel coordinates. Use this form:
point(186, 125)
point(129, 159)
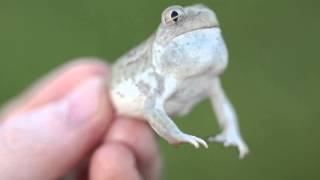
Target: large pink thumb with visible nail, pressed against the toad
point(47, 142)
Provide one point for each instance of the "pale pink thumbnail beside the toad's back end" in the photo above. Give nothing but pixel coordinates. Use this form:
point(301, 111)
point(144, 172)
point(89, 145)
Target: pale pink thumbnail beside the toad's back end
point(84, 102)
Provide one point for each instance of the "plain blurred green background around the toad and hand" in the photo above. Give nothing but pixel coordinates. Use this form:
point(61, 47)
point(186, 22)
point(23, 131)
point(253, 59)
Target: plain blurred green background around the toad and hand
point(272, 78)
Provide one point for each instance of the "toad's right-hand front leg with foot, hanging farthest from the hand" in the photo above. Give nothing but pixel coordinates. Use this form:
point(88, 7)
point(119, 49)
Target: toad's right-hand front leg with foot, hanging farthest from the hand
point(227, 119)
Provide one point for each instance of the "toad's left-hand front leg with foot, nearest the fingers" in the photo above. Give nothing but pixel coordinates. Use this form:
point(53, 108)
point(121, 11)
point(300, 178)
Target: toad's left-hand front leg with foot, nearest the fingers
point(158, 119)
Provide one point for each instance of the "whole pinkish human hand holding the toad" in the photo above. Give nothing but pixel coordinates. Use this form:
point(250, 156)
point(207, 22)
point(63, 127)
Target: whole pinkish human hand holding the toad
point(67, 118)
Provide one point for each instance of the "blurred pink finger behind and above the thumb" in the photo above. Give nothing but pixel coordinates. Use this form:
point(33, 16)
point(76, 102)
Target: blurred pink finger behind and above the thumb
point(57, 84)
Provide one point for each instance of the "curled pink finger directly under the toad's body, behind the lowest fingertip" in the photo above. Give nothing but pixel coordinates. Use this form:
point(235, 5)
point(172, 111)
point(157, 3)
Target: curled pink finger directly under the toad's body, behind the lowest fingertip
point(139, 137)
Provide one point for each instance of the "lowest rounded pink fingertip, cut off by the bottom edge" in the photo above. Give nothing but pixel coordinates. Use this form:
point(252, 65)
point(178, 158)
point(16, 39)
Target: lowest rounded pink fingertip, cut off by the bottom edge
point(114, 161)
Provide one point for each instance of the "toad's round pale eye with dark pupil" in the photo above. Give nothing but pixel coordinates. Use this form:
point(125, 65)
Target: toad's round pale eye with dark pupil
point(172, 15)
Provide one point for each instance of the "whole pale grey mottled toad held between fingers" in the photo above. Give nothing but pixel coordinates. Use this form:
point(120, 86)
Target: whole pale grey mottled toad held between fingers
point(174, 69)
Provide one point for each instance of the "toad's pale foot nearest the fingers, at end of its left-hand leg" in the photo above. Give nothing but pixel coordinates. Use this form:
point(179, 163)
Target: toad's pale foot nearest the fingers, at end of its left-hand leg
point(193, 140)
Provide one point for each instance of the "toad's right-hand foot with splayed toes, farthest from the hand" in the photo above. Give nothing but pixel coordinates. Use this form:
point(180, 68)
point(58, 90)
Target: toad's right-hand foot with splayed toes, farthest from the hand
point(231, 139)
